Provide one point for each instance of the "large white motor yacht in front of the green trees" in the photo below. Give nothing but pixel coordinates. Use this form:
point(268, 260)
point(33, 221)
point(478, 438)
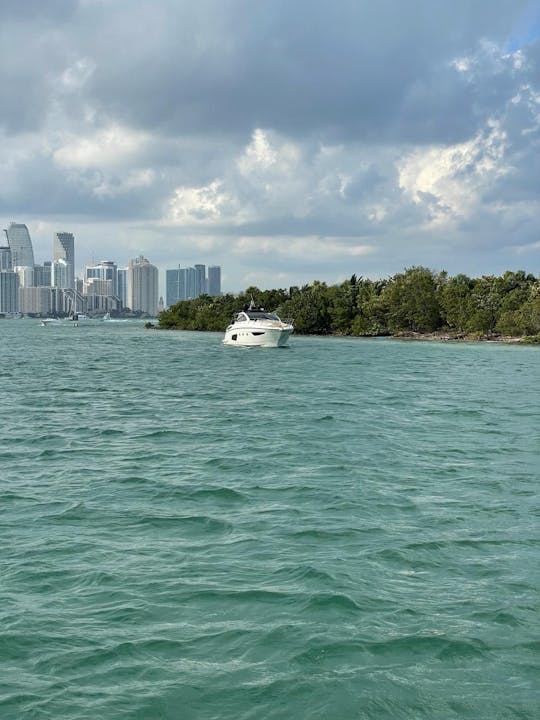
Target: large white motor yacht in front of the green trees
point(254, 327)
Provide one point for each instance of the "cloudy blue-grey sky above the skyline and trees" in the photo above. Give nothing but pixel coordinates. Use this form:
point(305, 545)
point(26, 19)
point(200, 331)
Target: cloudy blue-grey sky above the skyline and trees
point(285, 140)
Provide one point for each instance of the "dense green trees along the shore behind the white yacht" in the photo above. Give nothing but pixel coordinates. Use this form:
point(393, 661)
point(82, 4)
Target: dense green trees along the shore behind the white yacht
point(417, 300)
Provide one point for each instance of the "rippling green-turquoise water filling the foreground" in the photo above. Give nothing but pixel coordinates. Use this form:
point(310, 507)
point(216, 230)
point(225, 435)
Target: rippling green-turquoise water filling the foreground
point(345, 528)
